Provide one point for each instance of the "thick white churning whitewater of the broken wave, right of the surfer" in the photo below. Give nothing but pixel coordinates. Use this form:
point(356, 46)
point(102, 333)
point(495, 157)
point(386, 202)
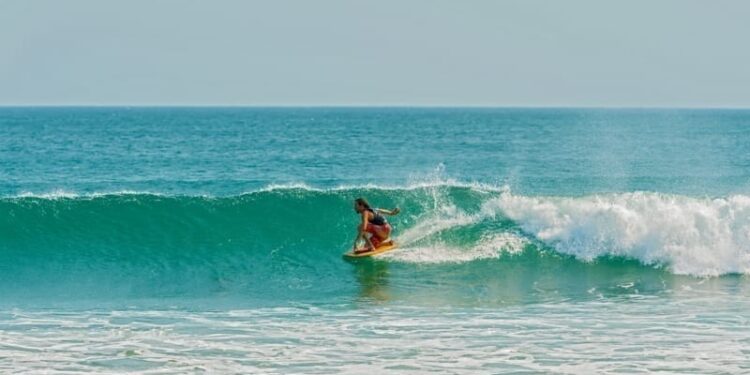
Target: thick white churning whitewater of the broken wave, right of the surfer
point(696, 236)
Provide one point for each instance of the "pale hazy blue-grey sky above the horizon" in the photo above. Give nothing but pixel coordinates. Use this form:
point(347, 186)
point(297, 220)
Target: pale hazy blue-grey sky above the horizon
point(505, 53)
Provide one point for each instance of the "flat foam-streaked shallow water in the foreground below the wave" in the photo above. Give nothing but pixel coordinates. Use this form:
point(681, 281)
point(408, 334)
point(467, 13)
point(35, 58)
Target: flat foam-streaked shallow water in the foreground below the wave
point(602, 337)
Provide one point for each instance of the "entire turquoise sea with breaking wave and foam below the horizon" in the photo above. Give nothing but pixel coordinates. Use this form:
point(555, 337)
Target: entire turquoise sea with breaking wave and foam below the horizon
point(532, 240)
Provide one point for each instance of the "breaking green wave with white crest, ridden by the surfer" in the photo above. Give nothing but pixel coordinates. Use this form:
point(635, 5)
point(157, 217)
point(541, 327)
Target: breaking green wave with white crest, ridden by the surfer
point(285, 242)
